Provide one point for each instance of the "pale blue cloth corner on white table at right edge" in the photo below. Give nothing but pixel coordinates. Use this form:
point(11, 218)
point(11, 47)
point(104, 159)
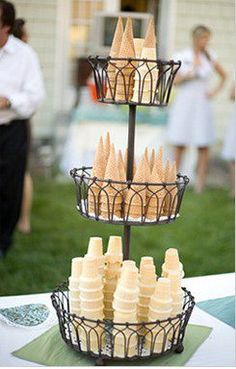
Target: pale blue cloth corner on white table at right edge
point(222, 309)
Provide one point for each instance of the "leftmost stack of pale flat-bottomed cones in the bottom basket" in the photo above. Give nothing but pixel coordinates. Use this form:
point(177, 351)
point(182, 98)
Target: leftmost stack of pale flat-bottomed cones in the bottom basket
point(74, 293)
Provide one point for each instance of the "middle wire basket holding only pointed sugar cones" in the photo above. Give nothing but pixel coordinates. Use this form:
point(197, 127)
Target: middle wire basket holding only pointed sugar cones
point(127, 203)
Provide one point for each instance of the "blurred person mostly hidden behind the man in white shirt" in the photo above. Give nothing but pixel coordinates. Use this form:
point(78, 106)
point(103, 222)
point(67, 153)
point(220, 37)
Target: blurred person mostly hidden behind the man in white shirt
point(24, 226)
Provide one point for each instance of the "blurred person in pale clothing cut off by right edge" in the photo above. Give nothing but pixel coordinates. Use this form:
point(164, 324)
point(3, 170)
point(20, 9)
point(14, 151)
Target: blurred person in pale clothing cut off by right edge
point(229, 147)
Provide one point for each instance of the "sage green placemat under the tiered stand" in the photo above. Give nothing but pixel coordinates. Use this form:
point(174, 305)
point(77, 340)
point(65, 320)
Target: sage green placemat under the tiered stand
point(49, 349)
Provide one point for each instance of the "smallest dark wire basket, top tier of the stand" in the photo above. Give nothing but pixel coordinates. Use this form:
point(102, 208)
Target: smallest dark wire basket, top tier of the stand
point(133, 81)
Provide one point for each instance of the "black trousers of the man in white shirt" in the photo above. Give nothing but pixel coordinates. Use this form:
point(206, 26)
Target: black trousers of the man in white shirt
point(13, 156)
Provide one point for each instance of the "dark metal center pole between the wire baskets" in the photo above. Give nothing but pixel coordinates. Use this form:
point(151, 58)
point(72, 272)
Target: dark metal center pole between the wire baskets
point(129, 173)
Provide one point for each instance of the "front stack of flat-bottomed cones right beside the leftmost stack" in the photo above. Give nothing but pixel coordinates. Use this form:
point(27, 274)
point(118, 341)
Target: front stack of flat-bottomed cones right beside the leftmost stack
point(91, 304)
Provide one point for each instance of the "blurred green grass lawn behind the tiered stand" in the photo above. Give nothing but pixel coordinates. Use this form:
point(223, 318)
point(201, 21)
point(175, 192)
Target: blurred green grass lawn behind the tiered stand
point(204, 236)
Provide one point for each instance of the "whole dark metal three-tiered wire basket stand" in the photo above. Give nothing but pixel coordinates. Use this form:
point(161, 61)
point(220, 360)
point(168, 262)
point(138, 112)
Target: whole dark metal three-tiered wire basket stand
point(171, 330)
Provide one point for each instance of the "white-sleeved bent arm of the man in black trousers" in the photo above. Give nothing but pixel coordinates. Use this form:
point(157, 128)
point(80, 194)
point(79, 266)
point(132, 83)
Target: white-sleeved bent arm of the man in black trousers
point(26, 102)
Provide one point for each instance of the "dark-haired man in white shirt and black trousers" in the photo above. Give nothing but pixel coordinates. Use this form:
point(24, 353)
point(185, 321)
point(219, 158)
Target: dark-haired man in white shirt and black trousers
point(21, 91)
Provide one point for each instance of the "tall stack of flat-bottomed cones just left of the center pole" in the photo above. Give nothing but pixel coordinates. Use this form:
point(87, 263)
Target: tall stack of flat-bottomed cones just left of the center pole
point(114, 257)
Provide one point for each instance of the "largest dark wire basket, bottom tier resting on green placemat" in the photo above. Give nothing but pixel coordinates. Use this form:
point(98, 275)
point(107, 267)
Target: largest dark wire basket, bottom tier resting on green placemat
point(110, 340)
